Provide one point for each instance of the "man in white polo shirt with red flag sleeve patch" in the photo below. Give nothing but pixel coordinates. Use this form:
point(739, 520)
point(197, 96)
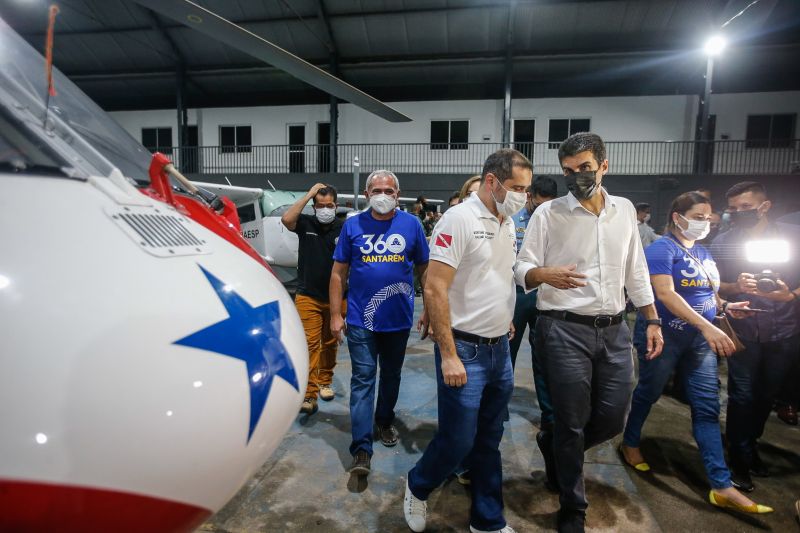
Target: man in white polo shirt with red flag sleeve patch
point(469, 299)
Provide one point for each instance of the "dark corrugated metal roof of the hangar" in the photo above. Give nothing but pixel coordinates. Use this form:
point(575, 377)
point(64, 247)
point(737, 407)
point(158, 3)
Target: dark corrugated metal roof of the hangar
point(401, 49)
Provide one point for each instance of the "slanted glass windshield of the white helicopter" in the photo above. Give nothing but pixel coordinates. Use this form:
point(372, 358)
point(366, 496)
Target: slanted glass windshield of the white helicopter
point(77, 128)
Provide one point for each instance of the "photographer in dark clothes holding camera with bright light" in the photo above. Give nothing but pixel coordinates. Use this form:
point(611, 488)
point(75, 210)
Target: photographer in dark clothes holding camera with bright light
point(770, 335)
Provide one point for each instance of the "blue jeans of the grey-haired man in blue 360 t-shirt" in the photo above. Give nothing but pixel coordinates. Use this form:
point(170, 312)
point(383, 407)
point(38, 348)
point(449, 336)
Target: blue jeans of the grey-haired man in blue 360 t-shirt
point(367, 349)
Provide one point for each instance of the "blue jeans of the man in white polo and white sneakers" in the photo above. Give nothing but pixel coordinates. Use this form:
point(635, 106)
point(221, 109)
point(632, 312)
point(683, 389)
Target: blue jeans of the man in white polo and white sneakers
point(471, 423)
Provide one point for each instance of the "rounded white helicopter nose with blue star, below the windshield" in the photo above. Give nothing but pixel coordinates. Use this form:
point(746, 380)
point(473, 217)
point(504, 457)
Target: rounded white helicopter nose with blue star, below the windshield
point(128, 365)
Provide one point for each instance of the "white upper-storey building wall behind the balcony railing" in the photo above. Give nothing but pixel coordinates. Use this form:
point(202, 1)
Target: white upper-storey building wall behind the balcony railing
point(616, 119)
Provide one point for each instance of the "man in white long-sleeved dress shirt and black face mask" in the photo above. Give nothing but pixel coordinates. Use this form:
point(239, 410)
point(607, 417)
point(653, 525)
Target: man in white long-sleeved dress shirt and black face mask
point(581, 250)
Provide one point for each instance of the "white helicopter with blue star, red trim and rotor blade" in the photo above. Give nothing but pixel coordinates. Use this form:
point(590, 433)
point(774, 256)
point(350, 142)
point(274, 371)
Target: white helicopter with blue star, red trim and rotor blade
point(151, 363)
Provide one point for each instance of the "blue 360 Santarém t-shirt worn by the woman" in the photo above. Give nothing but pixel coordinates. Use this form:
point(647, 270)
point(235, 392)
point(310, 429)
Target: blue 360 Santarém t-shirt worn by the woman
point(691, 281)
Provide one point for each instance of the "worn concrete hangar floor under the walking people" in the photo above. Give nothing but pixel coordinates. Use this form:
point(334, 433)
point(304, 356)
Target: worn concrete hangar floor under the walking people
point(304, 485)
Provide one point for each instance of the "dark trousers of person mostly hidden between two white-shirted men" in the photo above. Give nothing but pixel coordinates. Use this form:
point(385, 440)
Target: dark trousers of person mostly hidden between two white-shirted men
point(525, 314)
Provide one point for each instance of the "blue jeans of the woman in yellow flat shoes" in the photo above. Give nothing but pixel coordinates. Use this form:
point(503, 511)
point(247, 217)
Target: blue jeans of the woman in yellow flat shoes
point(689, 353)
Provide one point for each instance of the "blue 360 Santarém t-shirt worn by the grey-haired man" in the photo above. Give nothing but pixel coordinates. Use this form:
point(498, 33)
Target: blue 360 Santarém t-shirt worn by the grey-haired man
point(381, 255)
